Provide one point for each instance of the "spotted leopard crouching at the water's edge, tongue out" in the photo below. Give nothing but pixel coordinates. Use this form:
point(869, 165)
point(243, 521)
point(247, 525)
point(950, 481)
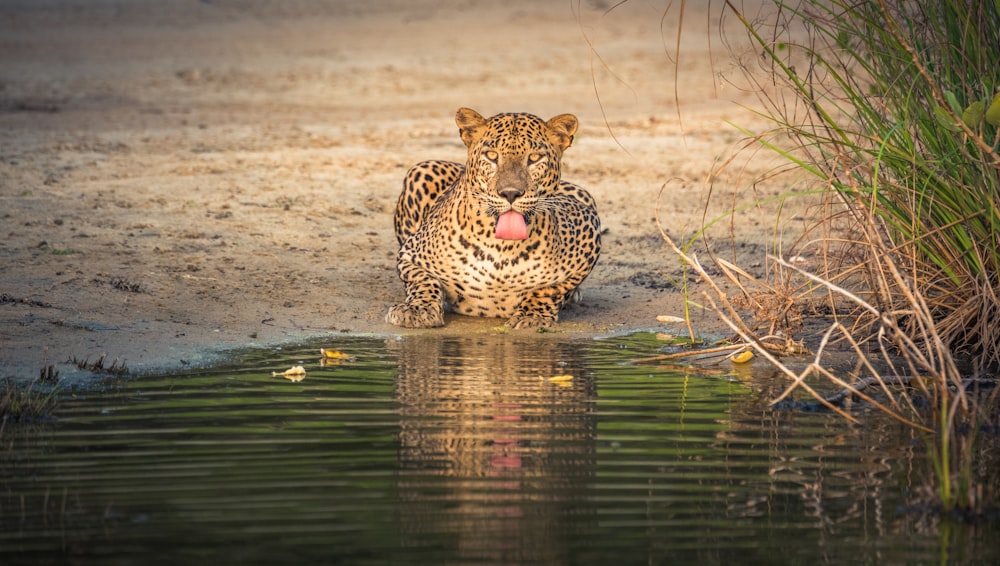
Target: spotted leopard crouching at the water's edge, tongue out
point(500, 236)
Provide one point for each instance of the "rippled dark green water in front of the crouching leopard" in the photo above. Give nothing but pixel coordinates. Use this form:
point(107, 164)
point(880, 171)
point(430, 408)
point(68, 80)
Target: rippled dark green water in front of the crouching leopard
point(433, 450)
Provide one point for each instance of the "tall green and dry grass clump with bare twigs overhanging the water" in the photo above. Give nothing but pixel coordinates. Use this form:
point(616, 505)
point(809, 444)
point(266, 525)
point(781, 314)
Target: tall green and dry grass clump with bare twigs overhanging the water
point(894, 106)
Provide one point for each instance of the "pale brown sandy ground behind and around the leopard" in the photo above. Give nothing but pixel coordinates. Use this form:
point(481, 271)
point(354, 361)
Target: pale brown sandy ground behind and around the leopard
point(183, 177)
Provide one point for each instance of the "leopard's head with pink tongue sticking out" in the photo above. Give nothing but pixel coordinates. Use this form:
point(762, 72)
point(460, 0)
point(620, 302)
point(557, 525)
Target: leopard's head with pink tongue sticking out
point(514, 162)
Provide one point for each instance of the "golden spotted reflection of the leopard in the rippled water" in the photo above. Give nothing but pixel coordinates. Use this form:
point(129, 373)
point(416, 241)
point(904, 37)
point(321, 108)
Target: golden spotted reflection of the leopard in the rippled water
point(493, 454)
